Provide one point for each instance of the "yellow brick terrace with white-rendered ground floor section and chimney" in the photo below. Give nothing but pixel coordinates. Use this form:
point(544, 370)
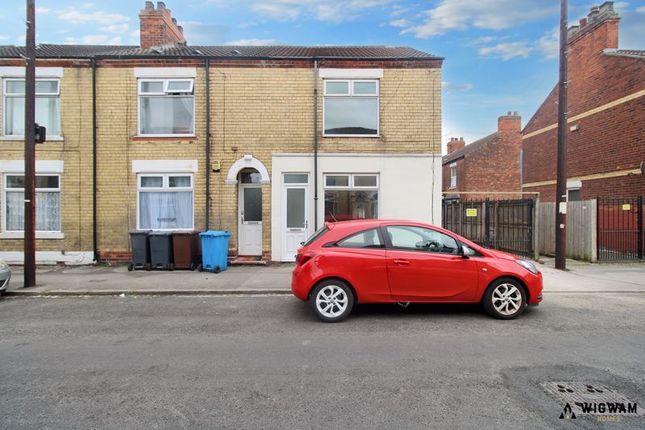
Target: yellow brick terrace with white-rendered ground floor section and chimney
point(266, 142)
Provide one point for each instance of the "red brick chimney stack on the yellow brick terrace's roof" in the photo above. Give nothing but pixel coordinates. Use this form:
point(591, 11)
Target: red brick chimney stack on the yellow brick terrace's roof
point(158, 27)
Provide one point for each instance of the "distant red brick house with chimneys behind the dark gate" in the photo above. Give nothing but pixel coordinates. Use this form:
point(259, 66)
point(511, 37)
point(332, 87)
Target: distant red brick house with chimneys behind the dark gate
point(488, 165)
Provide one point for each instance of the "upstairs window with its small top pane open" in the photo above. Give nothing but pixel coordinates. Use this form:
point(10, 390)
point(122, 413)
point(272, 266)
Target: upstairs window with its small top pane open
point(166, 107)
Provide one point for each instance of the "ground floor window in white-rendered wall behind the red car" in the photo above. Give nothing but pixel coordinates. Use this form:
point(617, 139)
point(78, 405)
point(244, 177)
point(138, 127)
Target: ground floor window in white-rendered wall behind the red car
point(350, 196)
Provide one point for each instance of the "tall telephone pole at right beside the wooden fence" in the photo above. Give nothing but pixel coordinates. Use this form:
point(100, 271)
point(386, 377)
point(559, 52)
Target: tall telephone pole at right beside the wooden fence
point(561, 187)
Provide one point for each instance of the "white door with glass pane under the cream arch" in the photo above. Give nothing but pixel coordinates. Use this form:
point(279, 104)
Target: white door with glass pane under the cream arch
point(250, 220)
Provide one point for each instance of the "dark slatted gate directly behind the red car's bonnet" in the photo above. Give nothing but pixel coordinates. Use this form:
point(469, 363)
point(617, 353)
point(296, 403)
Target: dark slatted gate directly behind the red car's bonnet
point(507, 225)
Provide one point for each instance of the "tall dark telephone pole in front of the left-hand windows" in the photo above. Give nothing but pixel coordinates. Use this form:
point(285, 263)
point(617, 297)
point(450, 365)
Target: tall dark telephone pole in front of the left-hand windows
point(30, 147)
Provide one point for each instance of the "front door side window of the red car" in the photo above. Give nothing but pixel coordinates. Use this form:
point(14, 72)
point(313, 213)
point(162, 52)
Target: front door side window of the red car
point(421, 239)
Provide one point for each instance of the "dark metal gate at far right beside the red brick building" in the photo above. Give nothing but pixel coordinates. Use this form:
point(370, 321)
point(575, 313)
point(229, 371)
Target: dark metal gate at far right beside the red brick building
point(620, 228)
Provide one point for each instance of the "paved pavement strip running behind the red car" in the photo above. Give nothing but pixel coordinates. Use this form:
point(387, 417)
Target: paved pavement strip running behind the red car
point(275, 279)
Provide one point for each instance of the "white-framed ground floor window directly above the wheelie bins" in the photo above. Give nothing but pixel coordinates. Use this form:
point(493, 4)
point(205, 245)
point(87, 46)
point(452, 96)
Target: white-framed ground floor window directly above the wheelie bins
point(165, 201)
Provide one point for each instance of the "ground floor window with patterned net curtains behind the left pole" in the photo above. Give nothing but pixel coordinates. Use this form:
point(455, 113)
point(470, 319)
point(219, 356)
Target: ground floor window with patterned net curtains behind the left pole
point(47, 203)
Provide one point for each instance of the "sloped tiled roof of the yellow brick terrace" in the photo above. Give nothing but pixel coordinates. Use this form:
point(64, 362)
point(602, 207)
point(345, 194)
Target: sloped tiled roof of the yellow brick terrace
point(225, 51)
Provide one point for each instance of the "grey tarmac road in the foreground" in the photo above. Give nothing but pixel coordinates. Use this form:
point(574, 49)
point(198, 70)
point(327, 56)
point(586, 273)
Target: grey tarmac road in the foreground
point(265, 362)
